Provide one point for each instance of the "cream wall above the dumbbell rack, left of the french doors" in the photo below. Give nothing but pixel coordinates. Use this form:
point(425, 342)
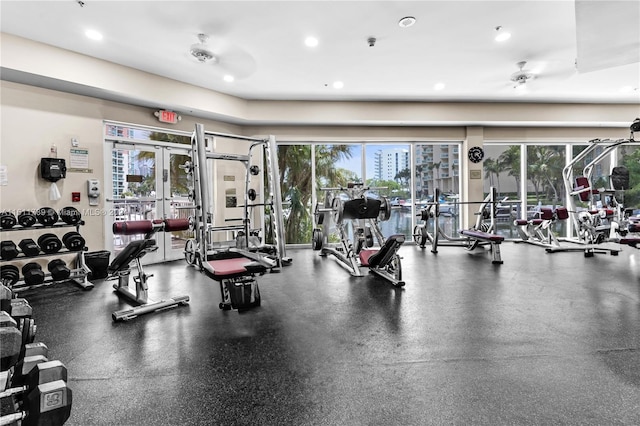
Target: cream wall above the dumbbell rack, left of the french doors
point(33, 119)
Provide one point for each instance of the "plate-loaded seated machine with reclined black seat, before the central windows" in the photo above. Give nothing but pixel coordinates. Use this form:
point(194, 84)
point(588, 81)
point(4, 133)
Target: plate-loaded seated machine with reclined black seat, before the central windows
point(352, 206)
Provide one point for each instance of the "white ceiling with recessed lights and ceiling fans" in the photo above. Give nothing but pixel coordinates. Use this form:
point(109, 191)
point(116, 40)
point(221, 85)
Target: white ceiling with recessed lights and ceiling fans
point(261, 44)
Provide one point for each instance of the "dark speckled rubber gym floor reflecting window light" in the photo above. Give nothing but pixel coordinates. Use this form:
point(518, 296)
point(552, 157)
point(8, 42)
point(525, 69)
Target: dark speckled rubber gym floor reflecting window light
point(543, 339)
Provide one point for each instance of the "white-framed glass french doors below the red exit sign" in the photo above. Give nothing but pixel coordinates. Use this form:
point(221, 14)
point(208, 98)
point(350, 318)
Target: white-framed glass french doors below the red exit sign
point(146, 183)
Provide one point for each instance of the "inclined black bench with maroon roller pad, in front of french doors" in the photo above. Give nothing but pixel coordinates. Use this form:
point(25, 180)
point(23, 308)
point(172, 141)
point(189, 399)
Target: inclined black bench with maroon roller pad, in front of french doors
point(120, 266)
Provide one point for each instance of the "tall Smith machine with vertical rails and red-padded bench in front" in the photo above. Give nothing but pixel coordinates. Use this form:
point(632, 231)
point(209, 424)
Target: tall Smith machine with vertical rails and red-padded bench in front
point(235, 266)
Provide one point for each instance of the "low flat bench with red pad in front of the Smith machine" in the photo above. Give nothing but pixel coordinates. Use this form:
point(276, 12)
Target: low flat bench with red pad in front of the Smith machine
point(235, 270)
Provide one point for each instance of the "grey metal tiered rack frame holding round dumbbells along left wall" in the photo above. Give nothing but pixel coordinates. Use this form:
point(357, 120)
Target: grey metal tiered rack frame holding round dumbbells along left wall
point(78, 274)
